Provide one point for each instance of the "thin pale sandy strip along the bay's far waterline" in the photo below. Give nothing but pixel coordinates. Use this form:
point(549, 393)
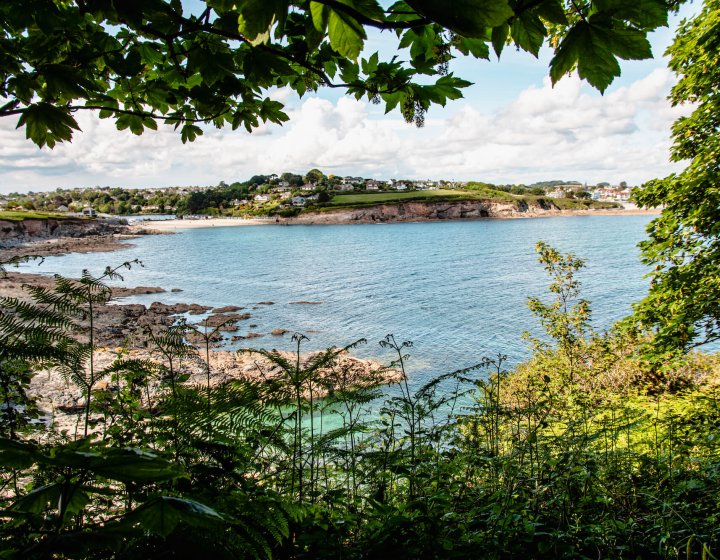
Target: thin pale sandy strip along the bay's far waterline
point(169, 226)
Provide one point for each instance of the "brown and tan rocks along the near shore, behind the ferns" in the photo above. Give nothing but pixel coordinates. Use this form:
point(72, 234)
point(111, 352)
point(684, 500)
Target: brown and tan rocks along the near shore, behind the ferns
point(121, 331)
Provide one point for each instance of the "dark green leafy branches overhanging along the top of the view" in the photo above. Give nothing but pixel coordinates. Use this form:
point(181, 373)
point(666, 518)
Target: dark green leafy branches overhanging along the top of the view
point(141, 62)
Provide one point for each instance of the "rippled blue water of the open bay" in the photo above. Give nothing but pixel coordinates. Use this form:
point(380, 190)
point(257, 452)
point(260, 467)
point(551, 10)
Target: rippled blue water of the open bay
point(458, 290)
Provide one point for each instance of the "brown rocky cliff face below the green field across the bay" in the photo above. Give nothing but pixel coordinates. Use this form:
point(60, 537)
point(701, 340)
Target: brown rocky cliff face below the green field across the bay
point(430, 211)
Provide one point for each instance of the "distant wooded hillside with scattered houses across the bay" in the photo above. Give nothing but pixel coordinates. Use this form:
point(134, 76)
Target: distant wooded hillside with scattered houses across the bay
point(287, 192)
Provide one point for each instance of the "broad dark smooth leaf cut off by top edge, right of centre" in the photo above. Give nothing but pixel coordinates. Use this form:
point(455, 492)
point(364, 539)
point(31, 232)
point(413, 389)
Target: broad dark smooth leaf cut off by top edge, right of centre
point(470, 18)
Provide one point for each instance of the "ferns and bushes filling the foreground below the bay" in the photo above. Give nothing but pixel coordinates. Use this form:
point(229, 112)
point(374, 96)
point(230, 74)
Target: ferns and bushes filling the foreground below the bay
point(582, 451)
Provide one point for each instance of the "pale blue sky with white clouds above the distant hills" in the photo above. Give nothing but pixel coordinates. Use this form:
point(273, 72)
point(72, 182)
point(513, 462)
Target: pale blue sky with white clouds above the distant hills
point(511, 127)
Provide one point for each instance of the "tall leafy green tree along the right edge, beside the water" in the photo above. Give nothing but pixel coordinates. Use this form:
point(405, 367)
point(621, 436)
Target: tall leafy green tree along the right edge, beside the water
point(683, 303)
